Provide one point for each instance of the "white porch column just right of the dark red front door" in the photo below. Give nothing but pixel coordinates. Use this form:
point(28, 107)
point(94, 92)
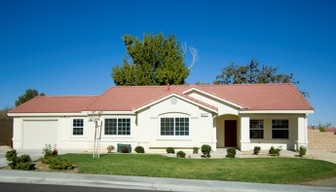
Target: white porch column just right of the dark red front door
point(245, 133)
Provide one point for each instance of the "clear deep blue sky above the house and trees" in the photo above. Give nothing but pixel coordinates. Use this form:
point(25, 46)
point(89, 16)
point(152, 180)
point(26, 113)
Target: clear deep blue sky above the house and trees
point(68, 47)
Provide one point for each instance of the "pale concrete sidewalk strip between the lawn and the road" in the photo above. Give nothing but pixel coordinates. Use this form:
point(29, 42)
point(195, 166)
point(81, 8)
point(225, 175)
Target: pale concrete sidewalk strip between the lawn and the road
point(146, 183)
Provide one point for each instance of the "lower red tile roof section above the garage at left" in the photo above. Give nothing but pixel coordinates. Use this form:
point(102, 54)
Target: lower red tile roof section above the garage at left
point(50, 104)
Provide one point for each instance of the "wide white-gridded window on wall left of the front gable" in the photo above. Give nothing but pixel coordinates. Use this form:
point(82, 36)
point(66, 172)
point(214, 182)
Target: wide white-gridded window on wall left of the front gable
point(121, 126)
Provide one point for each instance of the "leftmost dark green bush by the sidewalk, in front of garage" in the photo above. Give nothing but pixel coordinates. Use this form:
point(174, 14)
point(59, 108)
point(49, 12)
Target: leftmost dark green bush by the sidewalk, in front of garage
point(23, 162)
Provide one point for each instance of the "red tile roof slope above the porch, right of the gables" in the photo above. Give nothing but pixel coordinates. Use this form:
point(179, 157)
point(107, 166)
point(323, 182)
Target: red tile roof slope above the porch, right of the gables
point(282, 96)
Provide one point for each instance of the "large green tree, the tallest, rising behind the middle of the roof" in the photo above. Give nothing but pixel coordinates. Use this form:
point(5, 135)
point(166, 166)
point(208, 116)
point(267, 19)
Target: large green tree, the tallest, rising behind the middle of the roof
point(154, 61)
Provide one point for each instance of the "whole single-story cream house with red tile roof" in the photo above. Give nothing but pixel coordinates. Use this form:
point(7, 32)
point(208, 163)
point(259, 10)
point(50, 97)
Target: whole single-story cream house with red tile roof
point(157, 117)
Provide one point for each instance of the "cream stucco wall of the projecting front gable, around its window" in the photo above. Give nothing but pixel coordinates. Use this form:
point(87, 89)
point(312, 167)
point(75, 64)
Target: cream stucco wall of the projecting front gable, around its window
point(201, 128)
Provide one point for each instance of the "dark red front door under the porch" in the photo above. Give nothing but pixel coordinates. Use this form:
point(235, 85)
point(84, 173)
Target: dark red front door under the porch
point(230, 133)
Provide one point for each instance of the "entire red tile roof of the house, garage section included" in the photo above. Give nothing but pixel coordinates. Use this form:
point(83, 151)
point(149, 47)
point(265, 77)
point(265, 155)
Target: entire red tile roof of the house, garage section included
point(283, 96)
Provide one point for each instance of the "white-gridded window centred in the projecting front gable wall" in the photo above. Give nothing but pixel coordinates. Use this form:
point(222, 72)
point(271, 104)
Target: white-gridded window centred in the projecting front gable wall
point(175, 126)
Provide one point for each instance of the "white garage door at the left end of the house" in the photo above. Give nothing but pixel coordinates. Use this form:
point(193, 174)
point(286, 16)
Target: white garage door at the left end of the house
point(36, 134)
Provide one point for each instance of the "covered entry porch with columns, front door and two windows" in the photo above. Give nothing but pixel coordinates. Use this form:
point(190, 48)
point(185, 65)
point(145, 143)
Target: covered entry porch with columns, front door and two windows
point(288, 131)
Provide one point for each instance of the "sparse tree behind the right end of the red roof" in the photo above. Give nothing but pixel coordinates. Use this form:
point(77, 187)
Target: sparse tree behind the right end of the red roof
point(251, 73)
